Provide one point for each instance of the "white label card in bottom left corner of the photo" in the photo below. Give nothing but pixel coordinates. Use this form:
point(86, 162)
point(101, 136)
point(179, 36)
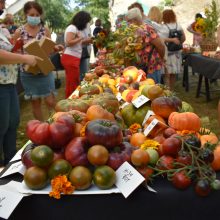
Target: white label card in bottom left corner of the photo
point(8, 202)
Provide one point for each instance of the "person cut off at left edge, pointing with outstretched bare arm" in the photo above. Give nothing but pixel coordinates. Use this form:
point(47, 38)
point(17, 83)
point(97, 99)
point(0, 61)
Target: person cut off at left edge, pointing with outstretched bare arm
point(9, 105)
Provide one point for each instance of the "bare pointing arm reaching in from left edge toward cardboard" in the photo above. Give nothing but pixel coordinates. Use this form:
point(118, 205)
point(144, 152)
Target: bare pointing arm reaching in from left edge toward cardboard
point(13, 58)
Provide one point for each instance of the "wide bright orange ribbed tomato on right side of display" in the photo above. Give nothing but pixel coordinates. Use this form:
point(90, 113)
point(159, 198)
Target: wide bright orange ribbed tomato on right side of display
point(184, 121)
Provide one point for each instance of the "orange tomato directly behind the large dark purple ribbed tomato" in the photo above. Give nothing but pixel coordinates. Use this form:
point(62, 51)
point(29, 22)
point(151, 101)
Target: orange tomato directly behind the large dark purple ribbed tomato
point(97, 112)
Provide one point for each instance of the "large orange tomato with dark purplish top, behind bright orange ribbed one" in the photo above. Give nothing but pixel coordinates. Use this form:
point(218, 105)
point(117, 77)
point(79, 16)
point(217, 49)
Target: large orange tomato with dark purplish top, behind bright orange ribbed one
point(163, 106)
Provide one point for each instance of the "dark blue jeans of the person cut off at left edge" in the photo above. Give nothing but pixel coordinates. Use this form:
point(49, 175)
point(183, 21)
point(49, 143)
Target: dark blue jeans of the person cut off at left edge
point(9, 121)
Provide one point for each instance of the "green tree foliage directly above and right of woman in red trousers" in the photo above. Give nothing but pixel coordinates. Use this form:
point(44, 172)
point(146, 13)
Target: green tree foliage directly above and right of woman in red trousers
point(97, 8)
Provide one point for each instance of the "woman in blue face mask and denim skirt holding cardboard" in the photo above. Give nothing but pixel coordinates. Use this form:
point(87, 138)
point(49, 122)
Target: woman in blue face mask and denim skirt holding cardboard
point(36, 87)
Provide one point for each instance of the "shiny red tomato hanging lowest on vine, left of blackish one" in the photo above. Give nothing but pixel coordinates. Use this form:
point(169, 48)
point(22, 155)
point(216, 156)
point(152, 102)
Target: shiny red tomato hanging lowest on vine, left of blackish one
point(181, 180)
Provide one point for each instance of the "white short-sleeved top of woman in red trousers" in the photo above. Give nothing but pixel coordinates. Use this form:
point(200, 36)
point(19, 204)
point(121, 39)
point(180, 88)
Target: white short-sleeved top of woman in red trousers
point(75, 50)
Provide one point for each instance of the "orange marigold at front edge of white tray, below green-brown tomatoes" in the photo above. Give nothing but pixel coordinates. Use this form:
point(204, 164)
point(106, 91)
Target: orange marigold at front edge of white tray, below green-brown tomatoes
point(60, 184)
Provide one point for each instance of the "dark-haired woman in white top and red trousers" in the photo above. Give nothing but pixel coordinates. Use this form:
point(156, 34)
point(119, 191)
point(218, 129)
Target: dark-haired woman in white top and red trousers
point(74, 40)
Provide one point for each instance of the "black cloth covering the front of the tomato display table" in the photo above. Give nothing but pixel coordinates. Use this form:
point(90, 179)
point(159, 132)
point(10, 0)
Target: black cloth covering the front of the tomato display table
point(168, 203)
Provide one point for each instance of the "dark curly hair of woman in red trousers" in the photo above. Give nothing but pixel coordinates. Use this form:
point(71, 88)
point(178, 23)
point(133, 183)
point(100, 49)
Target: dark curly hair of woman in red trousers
point(81, 19)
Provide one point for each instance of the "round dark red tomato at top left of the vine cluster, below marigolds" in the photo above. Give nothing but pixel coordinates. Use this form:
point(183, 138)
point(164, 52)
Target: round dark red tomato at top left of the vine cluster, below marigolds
point(171, 146)
